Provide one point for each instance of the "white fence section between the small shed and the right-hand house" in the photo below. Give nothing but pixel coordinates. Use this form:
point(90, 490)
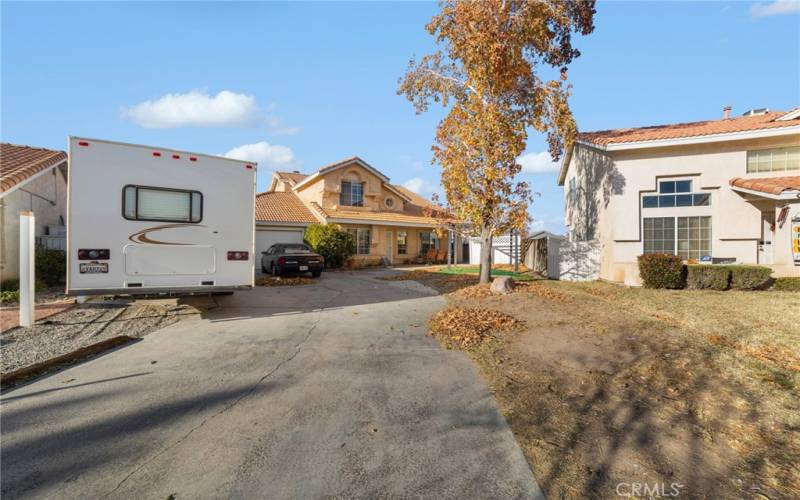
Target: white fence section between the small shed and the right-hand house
point(573, 260)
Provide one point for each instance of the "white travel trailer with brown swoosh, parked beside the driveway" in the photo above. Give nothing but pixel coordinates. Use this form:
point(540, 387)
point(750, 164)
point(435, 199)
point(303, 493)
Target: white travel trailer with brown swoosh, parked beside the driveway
point(143, 220)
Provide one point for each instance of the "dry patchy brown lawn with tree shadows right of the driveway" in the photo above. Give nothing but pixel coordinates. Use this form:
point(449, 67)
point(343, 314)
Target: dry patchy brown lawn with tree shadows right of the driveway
point(608, 386)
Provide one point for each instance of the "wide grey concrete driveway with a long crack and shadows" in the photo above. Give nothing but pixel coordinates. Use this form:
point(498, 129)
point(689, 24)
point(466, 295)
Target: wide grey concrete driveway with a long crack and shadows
point(330, 390)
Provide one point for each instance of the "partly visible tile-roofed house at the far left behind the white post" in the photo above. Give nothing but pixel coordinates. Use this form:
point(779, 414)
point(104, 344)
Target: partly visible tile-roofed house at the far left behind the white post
point(31, 179)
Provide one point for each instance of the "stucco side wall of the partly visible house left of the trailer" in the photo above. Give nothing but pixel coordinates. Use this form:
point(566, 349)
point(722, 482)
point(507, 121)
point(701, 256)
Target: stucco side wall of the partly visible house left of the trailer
point(50, 185)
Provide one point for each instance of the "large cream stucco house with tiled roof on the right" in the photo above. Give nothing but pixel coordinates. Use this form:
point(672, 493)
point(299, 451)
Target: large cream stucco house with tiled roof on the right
point(717, 191)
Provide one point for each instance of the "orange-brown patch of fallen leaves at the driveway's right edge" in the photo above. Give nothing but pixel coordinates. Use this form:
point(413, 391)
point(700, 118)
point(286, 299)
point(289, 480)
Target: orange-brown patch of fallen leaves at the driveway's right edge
point(464, 327)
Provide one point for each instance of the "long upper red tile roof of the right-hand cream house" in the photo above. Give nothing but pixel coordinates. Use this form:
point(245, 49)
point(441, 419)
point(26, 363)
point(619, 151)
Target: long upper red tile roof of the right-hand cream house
point(684, 130)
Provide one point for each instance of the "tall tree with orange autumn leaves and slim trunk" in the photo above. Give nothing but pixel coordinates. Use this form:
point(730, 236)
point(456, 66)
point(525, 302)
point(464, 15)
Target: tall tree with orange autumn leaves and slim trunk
point(486, 74)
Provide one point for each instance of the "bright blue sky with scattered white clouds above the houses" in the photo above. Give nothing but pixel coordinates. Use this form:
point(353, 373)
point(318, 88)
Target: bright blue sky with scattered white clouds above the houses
point(300, 85)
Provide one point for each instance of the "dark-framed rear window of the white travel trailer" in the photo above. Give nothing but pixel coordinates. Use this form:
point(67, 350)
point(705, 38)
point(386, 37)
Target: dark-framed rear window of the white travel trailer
point(161, 204)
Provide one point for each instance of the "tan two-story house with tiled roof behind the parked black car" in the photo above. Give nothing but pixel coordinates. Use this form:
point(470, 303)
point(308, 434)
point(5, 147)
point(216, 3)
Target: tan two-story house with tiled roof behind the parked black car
point(391, 224)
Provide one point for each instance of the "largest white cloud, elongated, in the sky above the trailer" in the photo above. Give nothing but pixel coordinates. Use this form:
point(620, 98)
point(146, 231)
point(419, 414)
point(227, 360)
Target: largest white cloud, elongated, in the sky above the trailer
point(195, 109)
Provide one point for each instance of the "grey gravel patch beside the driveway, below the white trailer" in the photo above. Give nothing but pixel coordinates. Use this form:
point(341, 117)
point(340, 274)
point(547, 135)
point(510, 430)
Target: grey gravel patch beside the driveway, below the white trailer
point(83, 325)
